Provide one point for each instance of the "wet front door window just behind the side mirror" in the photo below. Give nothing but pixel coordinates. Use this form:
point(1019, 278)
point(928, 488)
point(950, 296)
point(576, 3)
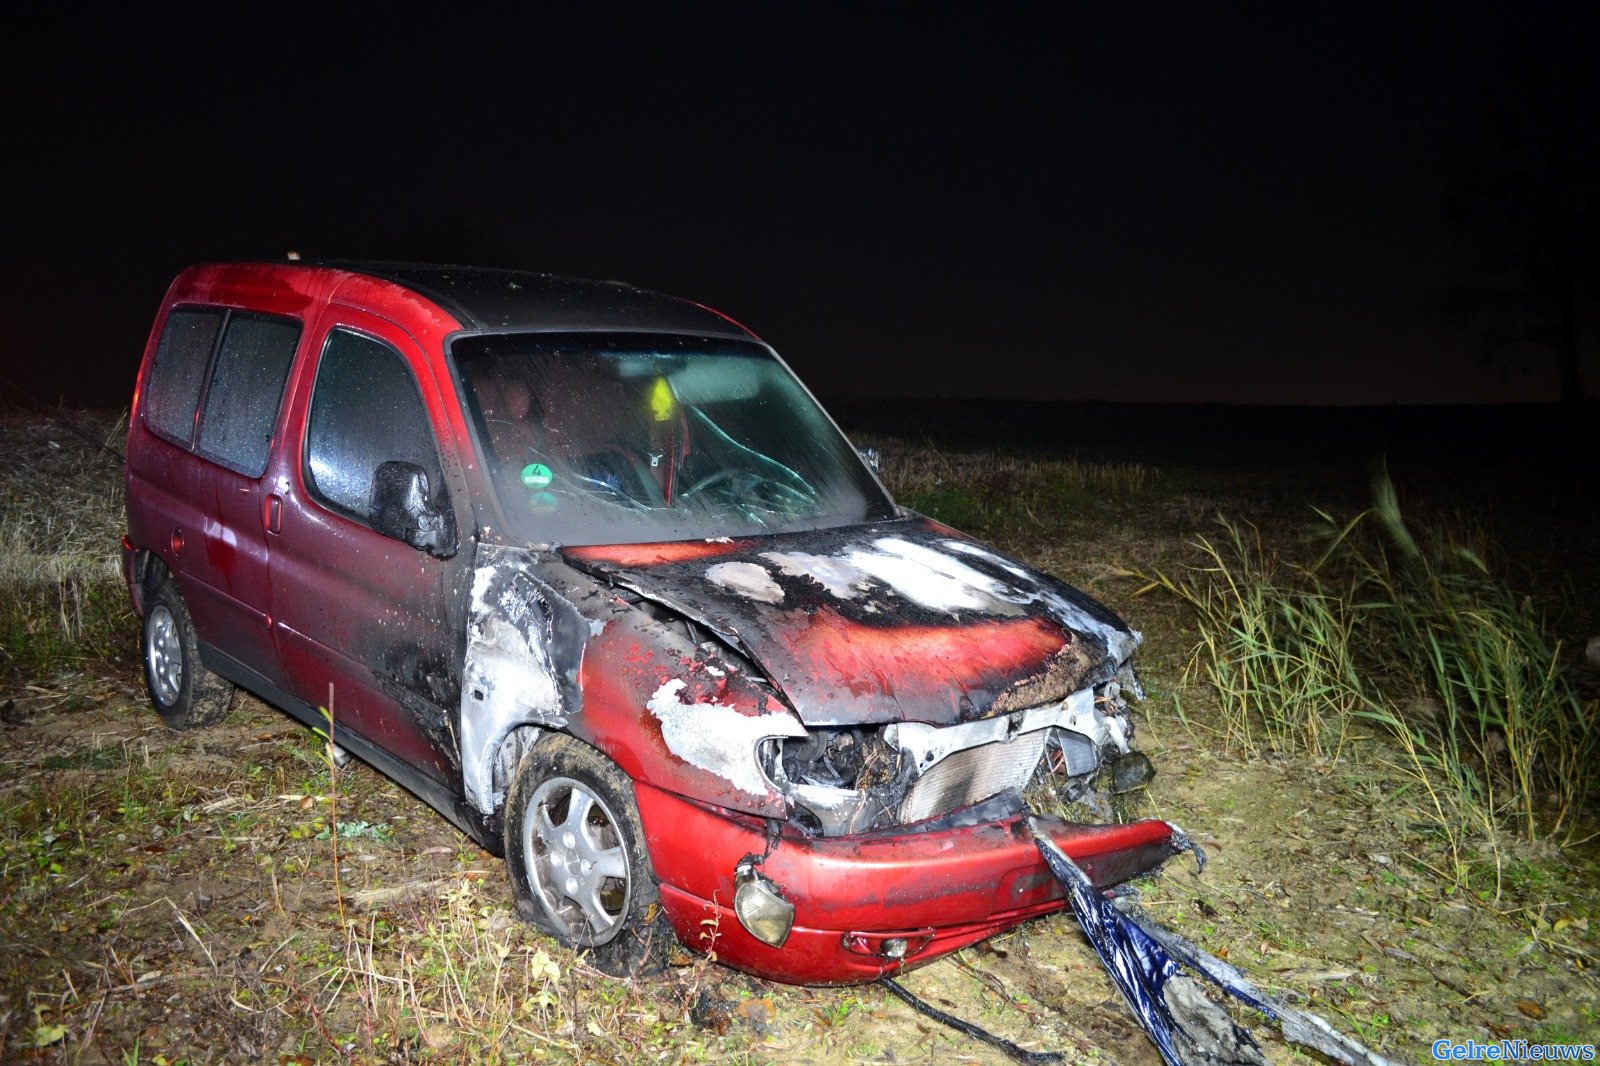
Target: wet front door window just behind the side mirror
point(366, 411)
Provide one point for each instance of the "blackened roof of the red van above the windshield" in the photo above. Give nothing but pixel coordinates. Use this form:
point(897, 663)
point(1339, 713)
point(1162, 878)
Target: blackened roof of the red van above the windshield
point(484, 299)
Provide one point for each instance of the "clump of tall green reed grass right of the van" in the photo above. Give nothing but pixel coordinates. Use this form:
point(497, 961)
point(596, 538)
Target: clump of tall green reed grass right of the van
point(1414, 631)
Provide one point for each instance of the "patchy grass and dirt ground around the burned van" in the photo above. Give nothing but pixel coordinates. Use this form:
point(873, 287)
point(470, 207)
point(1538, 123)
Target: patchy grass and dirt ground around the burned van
point(226, 896)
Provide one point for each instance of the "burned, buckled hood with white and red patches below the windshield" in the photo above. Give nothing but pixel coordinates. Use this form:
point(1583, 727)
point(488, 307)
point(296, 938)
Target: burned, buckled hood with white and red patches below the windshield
point(892, 622)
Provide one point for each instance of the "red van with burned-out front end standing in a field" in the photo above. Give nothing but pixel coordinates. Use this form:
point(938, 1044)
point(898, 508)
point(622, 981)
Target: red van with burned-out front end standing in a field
point(590, 571)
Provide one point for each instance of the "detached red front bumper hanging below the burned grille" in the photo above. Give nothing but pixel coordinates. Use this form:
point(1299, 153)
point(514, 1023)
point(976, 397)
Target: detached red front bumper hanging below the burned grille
point(937, 889)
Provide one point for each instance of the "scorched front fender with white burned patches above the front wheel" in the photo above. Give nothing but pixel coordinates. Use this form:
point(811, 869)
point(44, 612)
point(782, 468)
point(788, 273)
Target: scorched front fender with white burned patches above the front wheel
point(551, 649)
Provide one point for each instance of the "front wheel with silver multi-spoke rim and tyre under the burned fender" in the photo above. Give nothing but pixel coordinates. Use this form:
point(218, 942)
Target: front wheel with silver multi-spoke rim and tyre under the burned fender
point(575, 849)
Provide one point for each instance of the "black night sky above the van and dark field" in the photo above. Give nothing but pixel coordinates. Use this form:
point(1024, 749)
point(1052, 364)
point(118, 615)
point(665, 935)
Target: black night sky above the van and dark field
point(1126, 202)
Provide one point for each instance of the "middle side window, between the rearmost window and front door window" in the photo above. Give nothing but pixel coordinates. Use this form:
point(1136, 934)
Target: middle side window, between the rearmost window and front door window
point(247, 387)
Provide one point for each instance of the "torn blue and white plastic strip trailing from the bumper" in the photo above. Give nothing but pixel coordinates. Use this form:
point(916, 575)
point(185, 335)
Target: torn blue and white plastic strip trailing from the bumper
point(1143, 958)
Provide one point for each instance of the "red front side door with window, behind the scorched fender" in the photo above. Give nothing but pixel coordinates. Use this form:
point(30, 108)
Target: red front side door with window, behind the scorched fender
point(367, 623)
